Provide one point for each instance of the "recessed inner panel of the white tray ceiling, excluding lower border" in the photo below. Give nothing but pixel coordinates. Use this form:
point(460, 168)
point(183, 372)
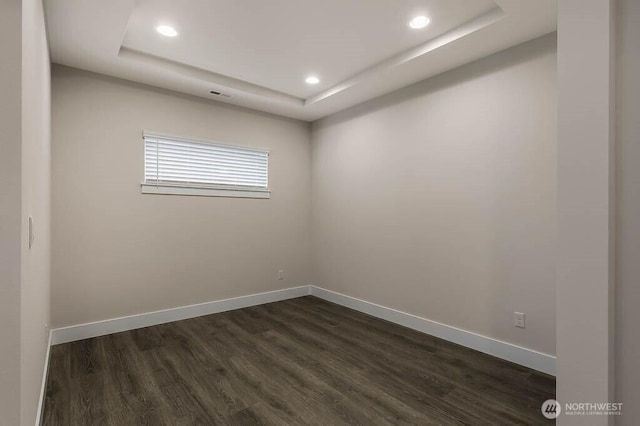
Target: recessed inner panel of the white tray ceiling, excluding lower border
point(276, 44)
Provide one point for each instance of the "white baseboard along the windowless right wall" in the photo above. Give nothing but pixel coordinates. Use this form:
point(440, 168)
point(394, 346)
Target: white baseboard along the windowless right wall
point(508, 351)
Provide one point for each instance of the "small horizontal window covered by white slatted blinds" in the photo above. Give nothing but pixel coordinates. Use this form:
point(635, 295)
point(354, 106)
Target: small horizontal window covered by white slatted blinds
point(185, 167)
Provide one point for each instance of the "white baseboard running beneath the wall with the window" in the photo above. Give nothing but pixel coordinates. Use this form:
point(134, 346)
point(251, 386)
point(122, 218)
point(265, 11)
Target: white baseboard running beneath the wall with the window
point(116, 325)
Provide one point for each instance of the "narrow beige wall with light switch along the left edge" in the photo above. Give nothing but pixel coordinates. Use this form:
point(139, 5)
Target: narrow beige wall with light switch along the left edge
point(25, 188)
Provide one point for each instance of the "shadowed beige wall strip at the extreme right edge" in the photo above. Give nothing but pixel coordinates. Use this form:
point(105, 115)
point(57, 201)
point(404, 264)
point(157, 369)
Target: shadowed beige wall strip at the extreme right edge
point(628, 211)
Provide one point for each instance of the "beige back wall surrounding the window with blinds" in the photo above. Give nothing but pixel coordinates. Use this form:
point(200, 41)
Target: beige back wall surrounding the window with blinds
point(118, 252)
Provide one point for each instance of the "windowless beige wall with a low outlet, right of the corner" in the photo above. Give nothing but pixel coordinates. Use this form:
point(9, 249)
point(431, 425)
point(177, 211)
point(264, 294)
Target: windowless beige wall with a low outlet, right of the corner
point(440, 199)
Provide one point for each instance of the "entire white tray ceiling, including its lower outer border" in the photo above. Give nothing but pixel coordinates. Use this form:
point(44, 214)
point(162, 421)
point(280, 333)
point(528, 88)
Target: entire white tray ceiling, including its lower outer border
point(258, 52)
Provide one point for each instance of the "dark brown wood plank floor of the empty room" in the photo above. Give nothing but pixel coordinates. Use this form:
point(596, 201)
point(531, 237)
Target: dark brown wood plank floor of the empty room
point(298, 362)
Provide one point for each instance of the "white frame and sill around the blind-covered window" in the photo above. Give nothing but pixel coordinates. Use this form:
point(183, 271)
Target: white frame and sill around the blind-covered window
point(196, 189)
